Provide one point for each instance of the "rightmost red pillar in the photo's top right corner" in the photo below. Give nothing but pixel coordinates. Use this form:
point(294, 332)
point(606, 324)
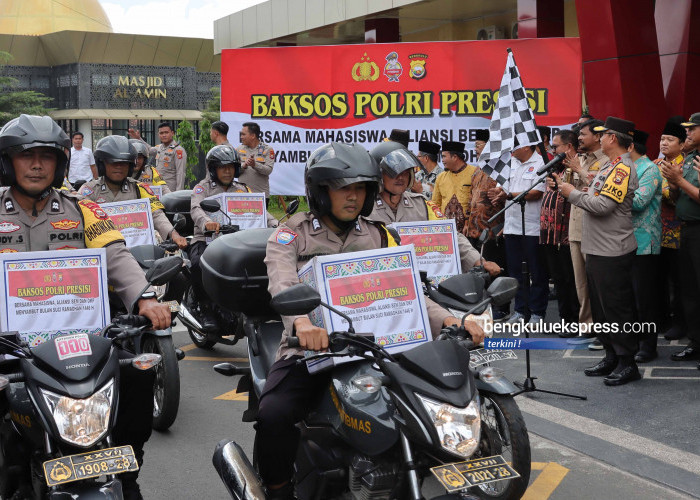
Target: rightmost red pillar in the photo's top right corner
point(678, 32)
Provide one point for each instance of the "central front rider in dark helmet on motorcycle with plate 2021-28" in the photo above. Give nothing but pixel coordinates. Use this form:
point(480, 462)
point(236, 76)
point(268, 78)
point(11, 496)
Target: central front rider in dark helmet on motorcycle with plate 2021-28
point(342, 182)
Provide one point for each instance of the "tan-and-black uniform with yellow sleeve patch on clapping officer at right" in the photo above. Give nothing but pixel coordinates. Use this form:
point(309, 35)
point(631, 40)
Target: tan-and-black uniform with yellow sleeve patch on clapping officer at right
point(609, 245)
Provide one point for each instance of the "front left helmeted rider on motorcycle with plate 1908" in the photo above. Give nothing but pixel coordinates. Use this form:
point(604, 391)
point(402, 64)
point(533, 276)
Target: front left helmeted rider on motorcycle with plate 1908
point(34, 155)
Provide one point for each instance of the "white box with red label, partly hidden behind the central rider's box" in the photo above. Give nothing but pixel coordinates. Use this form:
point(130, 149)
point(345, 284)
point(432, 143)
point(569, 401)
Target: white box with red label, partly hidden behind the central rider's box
point(436, 248)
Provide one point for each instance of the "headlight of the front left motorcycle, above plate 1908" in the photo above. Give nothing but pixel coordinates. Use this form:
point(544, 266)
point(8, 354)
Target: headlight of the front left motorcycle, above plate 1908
point(81, 422)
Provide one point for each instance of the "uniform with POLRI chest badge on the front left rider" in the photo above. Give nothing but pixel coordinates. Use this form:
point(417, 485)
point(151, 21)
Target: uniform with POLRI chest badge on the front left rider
point(67, 223)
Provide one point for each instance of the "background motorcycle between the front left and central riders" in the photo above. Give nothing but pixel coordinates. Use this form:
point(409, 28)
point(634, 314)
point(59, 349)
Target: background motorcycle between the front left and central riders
point(229, 324)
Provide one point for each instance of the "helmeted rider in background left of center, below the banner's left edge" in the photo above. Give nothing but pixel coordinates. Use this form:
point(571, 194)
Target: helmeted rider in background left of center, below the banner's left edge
point(223, 167)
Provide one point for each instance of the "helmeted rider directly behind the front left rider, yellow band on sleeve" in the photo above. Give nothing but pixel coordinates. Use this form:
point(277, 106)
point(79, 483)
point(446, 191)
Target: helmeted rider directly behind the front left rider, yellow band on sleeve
point(116, 161)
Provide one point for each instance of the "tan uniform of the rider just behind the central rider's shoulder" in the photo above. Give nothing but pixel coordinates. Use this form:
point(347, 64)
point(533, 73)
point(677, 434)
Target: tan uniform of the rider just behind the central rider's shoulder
point(413, 208)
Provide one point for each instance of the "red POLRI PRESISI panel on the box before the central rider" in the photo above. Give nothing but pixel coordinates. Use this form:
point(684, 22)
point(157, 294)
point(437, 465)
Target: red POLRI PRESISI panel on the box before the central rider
point(359, 291)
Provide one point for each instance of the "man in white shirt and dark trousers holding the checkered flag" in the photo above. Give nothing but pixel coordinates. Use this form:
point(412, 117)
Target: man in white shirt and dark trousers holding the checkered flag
point(523, 171)
